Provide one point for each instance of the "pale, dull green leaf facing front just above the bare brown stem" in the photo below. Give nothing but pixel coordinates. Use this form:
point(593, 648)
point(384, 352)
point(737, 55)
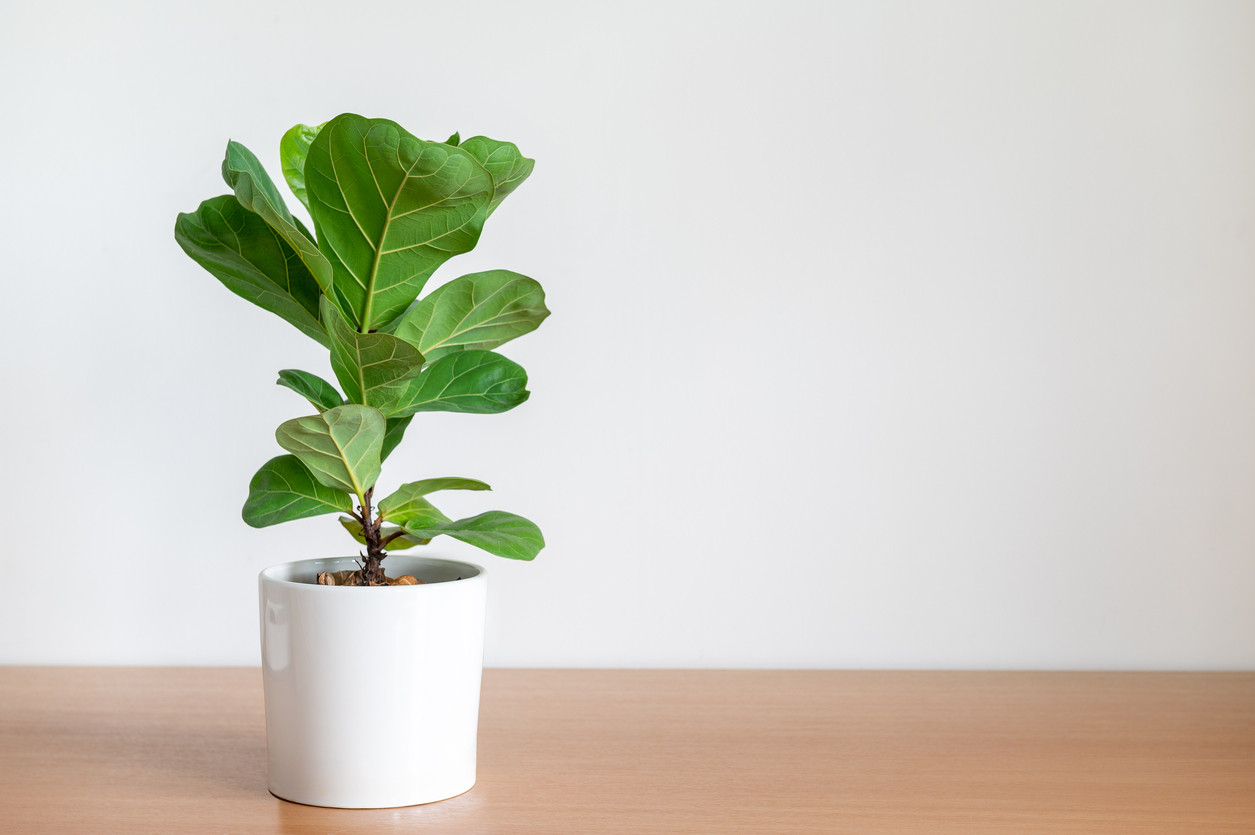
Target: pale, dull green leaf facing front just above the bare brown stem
point(339, 446)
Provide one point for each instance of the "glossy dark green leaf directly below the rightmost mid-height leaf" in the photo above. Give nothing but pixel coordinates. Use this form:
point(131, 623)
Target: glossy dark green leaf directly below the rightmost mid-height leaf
point(479, 382)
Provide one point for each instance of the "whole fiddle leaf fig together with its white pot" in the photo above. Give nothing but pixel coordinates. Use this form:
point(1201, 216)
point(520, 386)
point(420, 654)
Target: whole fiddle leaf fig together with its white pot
point(372, 682)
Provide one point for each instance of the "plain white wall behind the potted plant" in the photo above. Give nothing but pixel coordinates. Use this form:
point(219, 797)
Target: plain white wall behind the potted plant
point(885, 335)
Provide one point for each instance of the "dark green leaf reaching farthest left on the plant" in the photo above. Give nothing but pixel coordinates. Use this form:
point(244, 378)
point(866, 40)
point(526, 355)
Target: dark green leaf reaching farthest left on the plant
point(253, 261)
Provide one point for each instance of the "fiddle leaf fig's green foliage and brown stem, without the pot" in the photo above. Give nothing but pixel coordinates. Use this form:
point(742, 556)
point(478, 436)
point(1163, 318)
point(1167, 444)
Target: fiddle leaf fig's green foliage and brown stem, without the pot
point(388, 209)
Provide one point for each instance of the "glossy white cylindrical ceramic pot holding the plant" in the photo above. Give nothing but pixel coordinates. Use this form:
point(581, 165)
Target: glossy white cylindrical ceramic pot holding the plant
point(372, 694)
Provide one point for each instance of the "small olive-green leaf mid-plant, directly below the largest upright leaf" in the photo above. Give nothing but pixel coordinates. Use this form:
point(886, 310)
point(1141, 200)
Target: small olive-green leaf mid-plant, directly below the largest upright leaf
point(373, 369)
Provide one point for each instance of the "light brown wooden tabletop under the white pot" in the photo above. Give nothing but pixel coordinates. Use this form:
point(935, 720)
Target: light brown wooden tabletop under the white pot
point(184, 750)
